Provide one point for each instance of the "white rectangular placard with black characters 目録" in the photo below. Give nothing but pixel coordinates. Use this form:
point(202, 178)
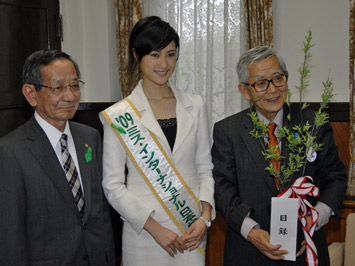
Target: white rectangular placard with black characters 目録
point(283, 228)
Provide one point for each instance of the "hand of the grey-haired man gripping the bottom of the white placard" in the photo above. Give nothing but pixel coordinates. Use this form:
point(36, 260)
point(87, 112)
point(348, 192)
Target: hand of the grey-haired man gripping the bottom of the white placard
point(261, 240)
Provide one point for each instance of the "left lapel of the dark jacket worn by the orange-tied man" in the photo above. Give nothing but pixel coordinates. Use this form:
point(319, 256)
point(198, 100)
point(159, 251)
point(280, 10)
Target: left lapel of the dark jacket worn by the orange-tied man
point(255, 147)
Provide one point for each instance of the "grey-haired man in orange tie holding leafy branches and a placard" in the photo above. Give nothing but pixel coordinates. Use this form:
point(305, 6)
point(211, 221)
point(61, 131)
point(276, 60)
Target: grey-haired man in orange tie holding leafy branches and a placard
point(243, 188)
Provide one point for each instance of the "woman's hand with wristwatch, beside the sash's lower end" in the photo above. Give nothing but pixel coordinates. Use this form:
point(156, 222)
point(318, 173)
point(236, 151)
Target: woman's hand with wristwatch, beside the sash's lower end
point(195, 234)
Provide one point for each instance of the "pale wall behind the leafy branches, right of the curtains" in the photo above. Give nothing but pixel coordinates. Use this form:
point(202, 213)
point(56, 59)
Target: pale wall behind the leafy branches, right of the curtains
point(329, 22)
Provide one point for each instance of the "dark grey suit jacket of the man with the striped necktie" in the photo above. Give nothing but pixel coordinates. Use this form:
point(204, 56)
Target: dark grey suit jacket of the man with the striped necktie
point(40, 223)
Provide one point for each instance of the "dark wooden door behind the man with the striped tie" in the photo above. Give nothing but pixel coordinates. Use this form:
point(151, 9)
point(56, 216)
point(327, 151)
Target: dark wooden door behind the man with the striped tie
point(25, 26)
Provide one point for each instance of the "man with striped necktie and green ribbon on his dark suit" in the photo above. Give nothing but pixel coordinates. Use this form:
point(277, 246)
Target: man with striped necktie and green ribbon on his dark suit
point(53, 211)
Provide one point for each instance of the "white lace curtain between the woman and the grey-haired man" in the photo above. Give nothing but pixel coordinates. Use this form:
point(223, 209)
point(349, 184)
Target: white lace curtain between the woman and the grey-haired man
point(211, 40)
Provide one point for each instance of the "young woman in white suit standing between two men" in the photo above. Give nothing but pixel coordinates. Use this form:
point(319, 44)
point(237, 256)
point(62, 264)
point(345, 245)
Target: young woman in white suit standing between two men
point(179, 122)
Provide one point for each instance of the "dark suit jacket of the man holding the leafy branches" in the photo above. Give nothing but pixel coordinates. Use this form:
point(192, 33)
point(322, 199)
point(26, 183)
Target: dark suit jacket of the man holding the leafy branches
point(242, 184)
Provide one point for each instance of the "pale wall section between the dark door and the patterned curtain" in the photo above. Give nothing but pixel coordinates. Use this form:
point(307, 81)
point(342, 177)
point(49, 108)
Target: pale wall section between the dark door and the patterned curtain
point(90, 38)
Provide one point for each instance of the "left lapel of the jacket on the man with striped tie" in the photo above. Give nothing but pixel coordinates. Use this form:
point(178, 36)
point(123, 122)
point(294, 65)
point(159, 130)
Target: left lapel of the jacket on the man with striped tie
point(43, 151)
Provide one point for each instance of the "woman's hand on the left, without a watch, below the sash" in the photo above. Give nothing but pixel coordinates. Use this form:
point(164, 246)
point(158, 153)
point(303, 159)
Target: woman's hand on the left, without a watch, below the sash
point(166, 238)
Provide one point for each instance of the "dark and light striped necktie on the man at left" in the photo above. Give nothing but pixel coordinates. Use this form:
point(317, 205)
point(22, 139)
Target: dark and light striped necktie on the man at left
point(72, 174)
